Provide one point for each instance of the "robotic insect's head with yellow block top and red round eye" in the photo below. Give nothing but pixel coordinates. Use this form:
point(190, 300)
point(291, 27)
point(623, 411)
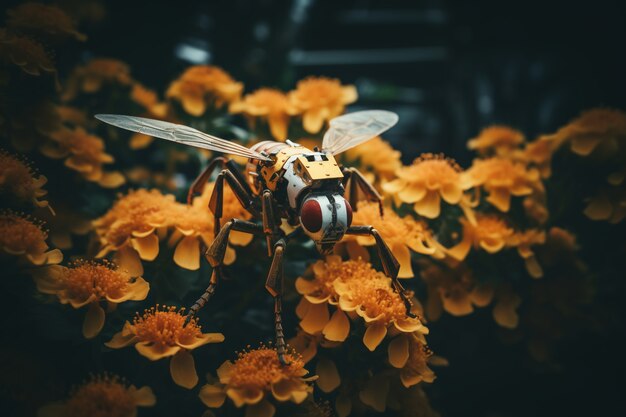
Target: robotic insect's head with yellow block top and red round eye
point(324, 214)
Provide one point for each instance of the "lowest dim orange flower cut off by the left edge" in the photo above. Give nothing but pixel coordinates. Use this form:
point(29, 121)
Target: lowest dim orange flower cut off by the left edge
point(24, 237)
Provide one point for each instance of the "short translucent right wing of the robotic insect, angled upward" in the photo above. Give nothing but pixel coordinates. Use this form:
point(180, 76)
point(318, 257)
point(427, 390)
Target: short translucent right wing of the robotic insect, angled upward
point(352, 129)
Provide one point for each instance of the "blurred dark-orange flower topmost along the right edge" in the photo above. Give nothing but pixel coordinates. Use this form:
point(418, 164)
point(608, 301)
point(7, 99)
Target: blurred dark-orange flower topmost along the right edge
point(598, 129)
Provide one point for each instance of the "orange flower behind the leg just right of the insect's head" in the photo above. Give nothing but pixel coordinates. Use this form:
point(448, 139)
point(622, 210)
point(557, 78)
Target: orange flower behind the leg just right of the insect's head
point(401, 234)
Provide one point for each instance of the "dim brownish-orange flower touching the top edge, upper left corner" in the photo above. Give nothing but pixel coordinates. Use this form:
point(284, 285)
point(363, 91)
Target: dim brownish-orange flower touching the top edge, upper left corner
point(41, 19)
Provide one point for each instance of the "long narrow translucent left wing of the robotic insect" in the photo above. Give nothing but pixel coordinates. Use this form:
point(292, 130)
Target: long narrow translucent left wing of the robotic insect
point(178, 133)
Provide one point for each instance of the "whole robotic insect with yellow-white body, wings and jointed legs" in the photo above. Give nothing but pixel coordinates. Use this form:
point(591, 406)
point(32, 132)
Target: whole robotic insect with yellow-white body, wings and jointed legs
point(283, 181)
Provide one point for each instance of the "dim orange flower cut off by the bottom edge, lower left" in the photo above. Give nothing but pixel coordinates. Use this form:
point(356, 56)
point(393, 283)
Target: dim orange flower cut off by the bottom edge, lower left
point(103, 396)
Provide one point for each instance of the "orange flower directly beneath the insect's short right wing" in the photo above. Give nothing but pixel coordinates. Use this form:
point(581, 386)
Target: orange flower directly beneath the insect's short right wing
point(378, 155)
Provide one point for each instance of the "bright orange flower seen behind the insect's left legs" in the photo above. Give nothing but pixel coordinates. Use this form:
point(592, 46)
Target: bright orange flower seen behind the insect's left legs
point(194, 225)
